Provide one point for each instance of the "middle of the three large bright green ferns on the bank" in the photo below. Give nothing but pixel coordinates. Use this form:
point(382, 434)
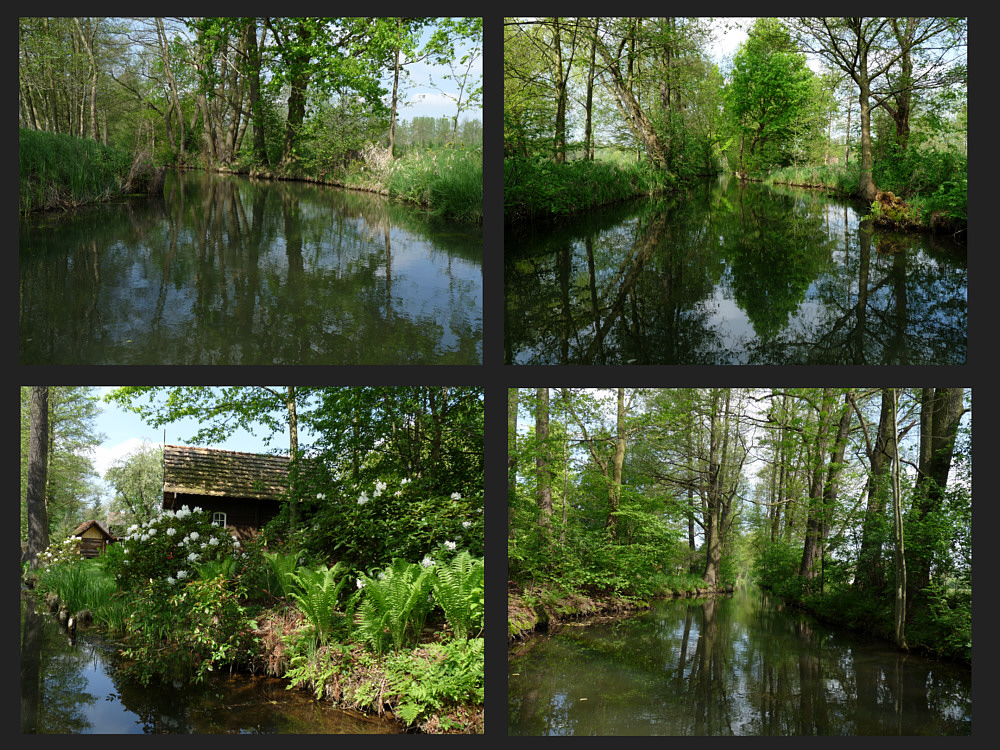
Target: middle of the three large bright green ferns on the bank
point(395, 604)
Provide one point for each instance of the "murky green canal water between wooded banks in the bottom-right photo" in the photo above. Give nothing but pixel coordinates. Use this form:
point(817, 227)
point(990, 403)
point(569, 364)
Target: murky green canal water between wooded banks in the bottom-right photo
point(735, 665)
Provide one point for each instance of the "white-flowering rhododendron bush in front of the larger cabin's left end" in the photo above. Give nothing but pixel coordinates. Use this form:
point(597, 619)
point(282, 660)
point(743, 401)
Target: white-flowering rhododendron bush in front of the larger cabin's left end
point(171, 547)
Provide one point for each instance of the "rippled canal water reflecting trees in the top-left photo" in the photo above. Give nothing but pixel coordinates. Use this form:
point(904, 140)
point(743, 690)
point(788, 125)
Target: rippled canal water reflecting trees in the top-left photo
point(223, 269)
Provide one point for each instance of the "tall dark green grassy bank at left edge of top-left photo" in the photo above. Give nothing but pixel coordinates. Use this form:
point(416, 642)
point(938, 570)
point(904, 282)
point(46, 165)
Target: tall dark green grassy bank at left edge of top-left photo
point(60, 172)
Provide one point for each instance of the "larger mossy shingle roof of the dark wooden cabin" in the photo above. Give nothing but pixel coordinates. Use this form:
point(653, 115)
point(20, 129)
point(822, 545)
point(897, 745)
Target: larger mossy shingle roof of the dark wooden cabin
point(207, 471)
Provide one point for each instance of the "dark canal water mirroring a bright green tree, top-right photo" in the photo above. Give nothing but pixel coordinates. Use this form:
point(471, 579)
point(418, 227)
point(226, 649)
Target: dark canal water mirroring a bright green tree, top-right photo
point(732, 274)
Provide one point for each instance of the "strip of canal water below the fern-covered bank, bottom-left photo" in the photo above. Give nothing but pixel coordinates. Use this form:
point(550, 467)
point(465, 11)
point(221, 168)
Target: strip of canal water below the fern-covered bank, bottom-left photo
point(73, 688)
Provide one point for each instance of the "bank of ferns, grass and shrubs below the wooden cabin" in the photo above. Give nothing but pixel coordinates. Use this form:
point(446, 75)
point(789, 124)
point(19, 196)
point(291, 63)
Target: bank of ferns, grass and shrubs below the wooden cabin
point(405, 640)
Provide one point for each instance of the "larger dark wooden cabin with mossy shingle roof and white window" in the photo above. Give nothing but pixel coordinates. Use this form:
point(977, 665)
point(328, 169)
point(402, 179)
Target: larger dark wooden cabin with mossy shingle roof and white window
point(242, 491)
